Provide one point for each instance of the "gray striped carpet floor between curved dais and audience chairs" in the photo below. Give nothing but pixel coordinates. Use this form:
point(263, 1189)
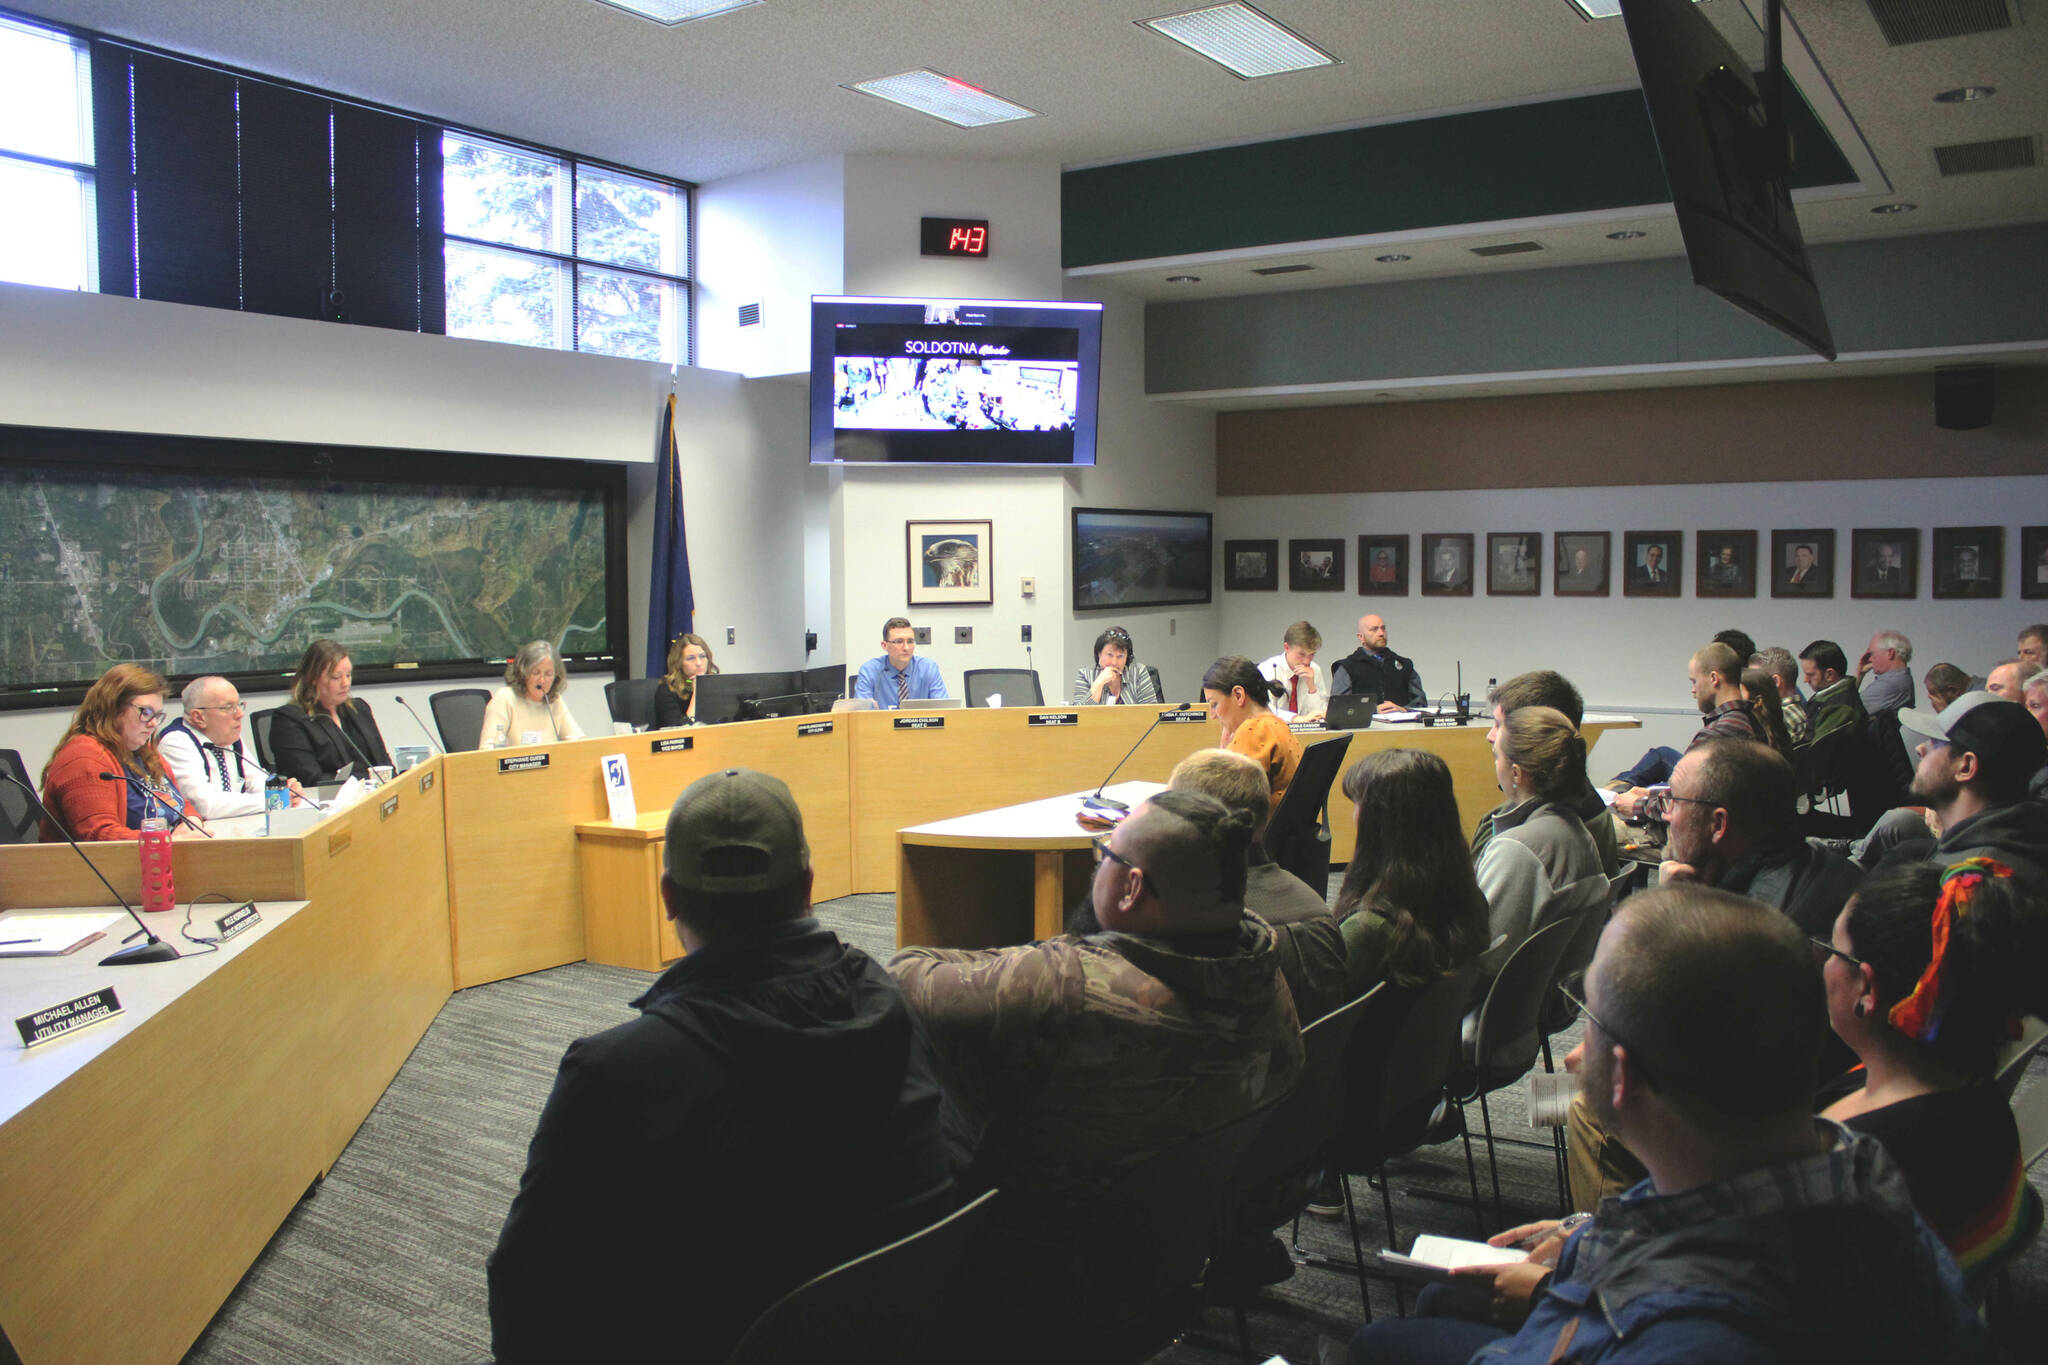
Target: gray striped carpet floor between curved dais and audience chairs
point(386, 1262)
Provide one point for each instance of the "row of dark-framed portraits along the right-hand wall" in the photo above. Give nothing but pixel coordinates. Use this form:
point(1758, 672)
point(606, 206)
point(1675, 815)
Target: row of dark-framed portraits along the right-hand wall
point(1969, 562)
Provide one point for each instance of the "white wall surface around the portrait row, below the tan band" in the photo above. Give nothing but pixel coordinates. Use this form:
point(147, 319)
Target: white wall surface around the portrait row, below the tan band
point(1629, 654)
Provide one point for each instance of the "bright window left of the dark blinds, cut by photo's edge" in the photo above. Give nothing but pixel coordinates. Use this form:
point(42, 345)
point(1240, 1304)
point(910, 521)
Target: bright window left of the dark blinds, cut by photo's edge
point(48, 226)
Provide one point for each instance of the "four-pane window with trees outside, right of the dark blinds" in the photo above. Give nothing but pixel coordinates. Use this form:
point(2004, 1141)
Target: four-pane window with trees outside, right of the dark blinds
point(548, 251)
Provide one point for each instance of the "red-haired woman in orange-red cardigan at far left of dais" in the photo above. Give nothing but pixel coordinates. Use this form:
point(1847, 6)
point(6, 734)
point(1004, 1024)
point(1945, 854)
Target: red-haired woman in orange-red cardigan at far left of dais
point(114, 730)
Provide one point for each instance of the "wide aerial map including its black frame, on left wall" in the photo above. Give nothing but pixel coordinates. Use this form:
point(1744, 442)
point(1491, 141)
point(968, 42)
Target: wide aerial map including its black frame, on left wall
point(198, 556)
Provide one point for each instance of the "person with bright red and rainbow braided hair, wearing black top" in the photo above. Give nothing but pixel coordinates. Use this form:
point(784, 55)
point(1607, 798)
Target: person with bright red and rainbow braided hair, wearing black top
point(1928, 975)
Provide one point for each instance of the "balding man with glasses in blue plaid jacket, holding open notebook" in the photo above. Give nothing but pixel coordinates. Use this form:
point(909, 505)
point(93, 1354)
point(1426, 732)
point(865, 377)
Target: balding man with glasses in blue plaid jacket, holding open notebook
point(1762, 1233)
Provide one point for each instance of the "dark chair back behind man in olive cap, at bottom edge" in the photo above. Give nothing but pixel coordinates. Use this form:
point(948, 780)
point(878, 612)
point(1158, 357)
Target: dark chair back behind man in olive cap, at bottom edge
point(888, 1305)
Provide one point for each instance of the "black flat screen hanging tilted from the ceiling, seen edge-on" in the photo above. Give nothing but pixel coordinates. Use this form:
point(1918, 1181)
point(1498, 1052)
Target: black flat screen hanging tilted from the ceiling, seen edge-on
point(1723, 150)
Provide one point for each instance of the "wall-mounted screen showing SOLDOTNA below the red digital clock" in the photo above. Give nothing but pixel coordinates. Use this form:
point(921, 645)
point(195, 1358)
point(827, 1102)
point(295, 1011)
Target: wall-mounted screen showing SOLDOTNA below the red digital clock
point(953, 382)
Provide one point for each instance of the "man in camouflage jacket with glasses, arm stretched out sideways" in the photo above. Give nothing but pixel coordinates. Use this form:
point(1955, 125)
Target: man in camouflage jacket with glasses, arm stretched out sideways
point(1070, 1061)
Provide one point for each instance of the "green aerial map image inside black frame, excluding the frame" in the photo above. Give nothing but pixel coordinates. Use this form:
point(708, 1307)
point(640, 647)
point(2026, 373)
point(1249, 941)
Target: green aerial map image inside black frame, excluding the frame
point(200, 574)
